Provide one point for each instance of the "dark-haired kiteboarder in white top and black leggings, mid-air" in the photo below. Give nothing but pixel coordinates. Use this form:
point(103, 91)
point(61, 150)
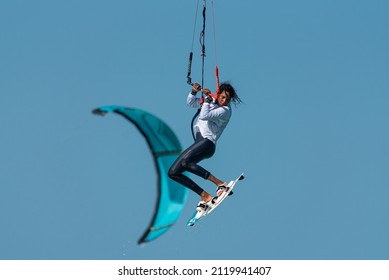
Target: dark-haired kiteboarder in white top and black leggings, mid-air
point(213, 118)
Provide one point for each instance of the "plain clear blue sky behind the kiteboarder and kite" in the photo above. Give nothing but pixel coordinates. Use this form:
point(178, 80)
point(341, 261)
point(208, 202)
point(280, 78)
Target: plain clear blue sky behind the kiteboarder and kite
point(312, 135)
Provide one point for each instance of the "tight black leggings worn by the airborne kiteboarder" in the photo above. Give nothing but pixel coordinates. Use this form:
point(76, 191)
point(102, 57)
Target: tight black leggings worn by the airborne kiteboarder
point(201, 149)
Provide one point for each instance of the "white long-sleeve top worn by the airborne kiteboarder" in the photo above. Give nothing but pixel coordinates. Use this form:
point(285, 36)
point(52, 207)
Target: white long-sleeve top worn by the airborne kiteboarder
point(212, 119)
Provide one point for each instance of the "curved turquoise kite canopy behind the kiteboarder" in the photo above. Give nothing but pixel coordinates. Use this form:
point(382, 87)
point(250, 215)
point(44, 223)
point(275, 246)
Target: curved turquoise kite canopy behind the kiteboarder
point(165, 147)
